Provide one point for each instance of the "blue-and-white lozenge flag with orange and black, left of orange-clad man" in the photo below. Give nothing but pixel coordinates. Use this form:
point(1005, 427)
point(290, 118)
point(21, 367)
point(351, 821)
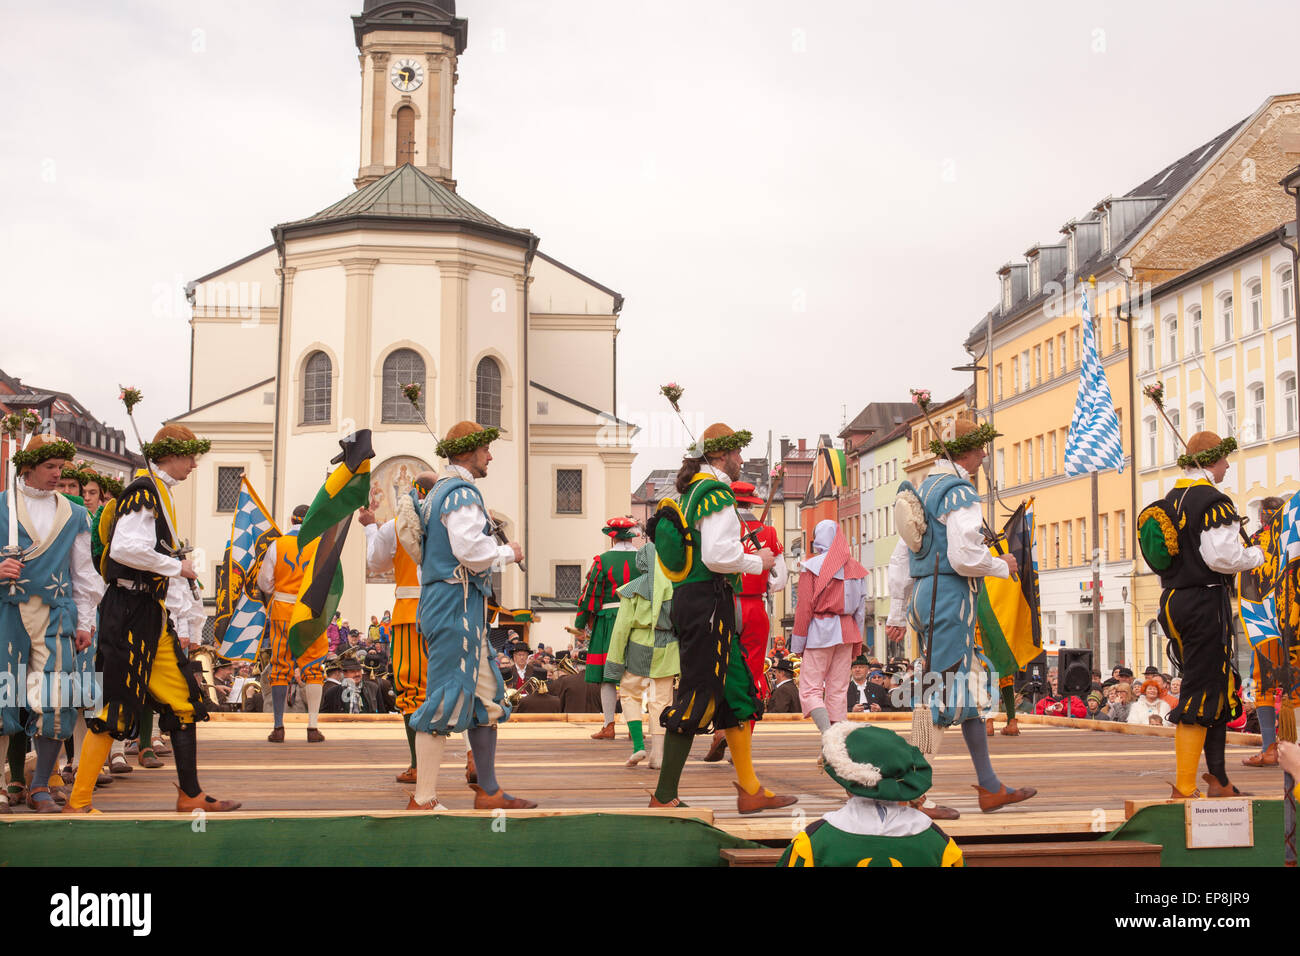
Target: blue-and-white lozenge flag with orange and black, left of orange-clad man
point(241, 616)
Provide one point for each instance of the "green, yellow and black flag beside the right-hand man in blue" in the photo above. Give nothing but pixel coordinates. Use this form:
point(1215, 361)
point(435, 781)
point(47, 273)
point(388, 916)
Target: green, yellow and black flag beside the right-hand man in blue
point(1008, 608)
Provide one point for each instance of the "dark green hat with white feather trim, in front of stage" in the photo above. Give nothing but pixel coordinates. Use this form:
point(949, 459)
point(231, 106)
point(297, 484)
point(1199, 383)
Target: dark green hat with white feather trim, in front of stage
point(874, 763)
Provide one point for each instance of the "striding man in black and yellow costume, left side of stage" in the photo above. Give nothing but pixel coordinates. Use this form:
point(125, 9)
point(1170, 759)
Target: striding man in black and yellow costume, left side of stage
point(149, 609)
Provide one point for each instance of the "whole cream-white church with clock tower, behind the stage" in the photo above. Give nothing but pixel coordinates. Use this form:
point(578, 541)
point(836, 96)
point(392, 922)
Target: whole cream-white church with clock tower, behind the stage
point(405, 282)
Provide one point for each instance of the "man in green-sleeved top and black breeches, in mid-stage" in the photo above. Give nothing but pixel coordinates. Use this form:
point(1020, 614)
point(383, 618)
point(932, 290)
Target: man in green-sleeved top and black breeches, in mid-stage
point(700, 548)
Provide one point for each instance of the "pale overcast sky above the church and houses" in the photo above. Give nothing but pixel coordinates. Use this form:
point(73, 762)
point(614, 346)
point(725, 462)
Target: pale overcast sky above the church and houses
point(804, 204)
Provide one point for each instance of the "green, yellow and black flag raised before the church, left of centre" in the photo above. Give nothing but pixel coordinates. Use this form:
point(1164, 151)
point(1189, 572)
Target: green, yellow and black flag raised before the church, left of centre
point(327, 522)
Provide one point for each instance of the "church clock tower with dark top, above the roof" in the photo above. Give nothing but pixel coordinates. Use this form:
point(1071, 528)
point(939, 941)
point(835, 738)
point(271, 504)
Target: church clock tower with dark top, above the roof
point(409, 53)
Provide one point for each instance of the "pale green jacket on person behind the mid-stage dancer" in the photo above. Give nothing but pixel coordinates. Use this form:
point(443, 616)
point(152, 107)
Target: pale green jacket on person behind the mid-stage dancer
point(644, 642)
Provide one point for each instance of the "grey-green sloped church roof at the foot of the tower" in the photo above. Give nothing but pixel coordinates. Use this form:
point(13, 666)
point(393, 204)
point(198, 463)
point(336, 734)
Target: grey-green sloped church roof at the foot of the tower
point(409, 197)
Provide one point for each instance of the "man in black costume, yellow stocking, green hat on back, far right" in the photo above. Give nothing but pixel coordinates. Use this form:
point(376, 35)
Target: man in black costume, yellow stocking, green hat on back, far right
point(1197, 535)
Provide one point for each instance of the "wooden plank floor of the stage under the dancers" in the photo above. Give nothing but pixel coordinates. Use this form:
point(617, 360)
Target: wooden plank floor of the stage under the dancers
point(1084, 777)
